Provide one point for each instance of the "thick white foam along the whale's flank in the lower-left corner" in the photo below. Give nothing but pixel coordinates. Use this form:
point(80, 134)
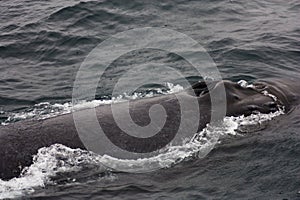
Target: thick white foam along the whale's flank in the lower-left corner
point(47, 163)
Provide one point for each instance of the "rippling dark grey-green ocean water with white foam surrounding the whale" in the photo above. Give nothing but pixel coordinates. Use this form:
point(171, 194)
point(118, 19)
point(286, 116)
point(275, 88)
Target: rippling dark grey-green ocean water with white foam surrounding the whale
point(43, 44)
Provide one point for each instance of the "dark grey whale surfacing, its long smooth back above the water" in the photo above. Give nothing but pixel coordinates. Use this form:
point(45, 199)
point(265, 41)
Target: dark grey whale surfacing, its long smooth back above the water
point(20, 141)
